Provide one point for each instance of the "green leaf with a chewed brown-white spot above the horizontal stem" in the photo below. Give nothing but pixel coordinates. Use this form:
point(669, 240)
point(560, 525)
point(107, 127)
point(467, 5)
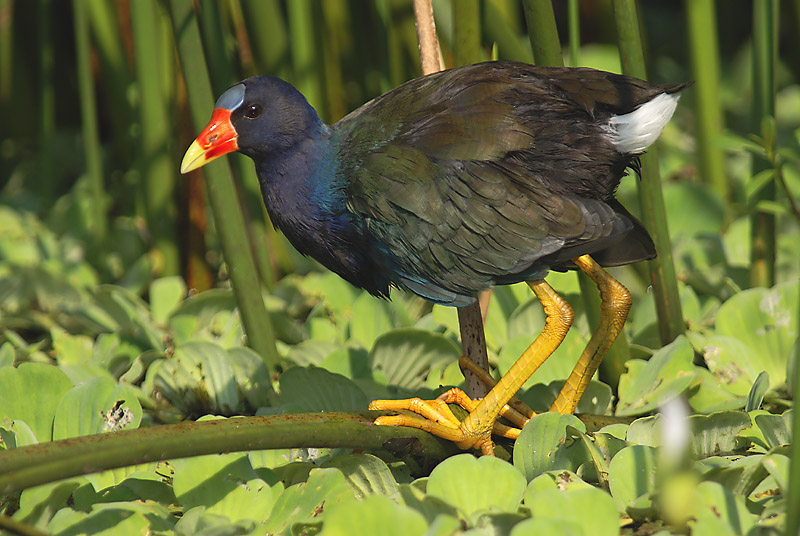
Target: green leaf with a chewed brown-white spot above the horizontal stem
point(96, 406)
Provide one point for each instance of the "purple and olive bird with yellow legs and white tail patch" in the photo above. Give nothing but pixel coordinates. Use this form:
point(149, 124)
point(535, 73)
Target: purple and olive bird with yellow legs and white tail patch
point(488, 174)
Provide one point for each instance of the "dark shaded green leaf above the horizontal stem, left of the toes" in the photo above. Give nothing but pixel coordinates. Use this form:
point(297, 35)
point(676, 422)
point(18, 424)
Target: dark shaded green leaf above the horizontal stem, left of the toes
point(316, 389)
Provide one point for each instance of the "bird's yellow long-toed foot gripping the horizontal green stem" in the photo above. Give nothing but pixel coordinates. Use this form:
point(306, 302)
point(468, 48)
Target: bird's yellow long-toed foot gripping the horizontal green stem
point(436, 417)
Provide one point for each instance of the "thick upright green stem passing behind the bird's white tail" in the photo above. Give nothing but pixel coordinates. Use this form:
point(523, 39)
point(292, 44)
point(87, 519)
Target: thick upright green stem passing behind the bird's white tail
point(651, 197)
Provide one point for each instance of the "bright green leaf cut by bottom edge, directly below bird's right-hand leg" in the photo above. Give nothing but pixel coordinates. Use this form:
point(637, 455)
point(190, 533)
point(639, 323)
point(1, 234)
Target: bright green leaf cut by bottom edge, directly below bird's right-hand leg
point(596, 512)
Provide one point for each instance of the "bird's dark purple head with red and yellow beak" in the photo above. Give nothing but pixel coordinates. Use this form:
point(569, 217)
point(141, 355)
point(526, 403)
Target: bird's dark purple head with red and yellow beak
point(259, 116)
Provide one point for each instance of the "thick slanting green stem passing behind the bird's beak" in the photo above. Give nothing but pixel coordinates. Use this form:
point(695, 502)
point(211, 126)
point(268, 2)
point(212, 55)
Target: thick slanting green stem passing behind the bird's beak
point(230, 221)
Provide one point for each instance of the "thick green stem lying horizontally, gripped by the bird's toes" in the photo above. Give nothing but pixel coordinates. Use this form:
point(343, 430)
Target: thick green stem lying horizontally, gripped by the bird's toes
point(47, 462)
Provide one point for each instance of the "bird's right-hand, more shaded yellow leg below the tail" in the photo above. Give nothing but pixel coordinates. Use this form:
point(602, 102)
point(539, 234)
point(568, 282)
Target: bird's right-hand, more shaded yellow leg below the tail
point(615, 302)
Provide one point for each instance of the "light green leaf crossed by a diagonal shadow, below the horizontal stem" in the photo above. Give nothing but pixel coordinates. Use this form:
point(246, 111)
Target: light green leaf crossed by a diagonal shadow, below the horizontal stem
point(225, 485)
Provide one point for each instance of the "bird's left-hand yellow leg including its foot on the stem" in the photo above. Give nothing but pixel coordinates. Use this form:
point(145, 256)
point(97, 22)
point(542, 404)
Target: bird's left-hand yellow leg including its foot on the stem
point(476, 429)
